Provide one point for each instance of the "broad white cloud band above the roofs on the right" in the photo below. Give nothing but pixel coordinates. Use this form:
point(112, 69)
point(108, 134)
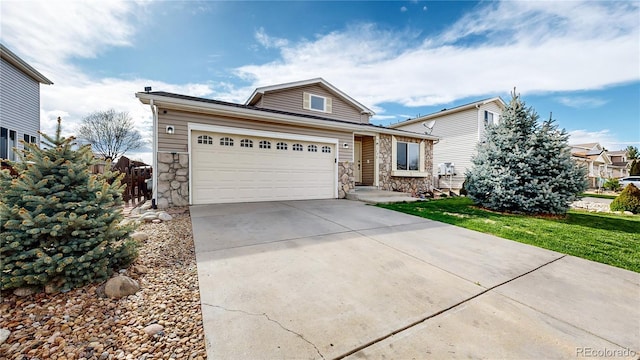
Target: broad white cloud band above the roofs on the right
point(537, 46)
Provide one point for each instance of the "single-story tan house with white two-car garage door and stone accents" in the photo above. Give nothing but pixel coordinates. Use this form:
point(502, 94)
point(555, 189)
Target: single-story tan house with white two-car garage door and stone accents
point(293, 141)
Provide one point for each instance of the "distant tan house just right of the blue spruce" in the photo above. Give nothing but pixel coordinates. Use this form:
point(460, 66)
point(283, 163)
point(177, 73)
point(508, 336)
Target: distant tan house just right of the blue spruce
point(595, 159)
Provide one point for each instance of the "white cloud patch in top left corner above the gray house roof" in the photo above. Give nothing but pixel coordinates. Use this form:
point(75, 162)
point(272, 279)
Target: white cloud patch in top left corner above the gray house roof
point(51, 32)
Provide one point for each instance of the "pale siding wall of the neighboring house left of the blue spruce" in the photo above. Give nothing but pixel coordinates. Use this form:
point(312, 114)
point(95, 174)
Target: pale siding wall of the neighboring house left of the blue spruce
point(458, 134)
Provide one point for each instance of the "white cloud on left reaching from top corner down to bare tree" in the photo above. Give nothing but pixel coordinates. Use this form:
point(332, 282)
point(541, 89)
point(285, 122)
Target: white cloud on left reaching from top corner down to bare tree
point(50, 35)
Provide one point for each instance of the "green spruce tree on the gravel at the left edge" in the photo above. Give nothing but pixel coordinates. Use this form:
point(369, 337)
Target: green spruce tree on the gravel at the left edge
point(60, 223)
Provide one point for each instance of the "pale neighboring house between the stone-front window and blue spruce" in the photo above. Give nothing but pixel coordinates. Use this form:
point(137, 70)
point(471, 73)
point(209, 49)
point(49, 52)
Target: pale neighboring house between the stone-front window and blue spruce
point(459, 129)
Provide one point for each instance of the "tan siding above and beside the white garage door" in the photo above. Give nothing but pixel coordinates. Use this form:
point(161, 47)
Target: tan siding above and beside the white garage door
point(179, 119)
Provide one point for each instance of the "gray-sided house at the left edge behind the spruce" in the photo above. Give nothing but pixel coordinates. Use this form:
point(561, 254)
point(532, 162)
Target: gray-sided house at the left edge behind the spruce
point(19, 103)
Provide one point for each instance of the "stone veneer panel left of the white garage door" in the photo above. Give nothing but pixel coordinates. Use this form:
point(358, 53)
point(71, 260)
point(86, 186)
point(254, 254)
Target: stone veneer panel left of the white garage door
point(173, 180)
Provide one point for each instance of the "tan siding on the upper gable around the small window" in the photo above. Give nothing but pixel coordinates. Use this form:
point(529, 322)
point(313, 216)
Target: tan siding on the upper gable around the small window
point(291, 100)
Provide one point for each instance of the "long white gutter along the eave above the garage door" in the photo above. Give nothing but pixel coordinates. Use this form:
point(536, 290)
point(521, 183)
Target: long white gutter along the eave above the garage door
point(251, 114)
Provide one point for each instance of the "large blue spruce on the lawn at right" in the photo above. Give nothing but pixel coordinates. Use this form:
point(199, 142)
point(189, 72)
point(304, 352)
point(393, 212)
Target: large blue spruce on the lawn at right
point(523, 166)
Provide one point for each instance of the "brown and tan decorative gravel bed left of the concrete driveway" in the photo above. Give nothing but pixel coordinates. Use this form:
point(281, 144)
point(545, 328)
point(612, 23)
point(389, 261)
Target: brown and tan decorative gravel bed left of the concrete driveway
point(80, 325)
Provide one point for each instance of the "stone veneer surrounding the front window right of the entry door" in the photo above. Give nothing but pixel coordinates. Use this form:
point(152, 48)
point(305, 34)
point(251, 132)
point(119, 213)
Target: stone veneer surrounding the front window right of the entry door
point(411, 185)
